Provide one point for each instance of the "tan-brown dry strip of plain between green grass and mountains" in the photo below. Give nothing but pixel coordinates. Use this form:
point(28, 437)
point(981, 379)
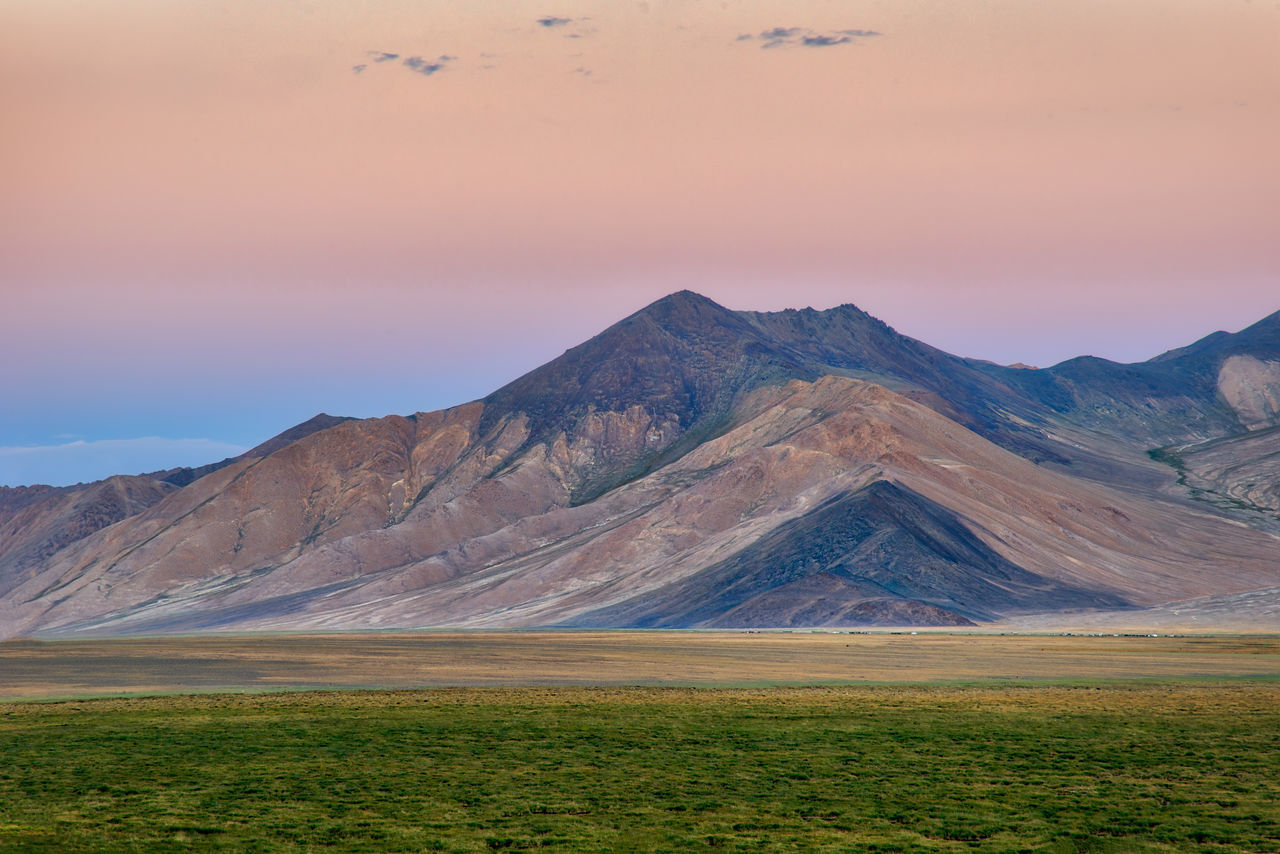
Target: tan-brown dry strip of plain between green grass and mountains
point(67, 669)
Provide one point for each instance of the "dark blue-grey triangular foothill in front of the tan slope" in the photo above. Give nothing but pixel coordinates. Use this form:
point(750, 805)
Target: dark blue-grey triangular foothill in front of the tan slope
point(854, 559)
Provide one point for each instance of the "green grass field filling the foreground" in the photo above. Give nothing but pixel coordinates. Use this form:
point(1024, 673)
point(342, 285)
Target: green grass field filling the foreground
point(1110, 768)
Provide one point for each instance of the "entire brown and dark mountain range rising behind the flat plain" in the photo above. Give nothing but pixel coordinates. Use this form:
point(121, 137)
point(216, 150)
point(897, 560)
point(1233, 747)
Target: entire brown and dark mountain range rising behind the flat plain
point(698, 467)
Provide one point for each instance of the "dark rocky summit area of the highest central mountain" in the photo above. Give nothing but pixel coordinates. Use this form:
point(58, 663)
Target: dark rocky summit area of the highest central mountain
point(685, 360)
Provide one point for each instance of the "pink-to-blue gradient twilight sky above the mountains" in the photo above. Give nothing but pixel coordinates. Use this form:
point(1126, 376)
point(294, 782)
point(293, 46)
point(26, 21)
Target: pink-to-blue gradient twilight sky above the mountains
point(218, 220)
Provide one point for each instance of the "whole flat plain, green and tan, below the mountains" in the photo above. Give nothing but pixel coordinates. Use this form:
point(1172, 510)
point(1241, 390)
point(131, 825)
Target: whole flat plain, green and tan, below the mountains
point(643, 742)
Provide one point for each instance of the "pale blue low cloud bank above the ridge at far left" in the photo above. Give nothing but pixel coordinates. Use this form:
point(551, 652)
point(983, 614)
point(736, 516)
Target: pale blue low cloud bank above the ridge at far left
point(63, 465)
